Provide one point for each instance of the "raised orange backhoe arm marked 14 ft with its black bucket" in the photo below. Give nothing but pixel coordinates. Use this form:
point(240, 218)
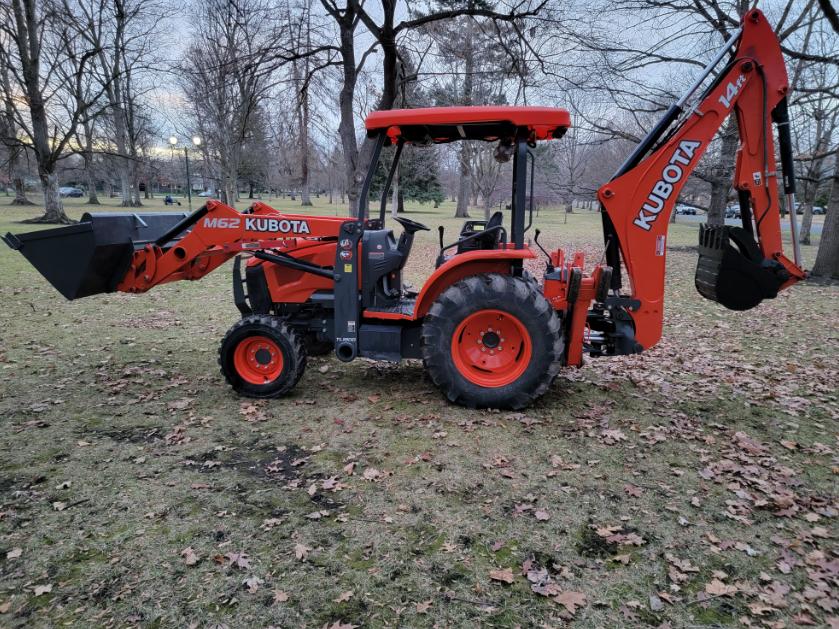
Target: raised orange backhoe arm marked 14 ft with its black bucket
point(638, 201)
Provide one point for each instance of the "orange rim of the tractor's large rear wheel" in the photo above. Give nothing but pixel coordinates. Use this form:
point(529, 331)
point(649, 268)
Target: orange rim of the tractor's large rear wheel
point(491, 348)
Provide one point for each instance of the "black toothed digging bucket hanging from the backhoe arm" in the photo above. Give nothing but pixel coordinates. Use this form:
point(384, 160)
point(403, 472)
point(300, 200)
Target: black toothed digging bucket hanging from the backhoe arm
point(732, 270)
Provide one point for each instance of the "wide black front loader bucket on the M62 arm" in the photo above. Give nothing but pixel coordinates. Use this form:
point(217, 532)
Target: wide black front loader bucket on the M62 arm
point(92, 256)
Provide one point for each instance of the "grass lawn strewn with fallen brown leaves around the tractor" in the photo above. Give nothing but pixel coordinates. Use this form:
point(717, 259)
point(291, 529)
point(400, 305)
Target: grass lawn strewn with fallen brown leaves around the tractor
point(692, 485)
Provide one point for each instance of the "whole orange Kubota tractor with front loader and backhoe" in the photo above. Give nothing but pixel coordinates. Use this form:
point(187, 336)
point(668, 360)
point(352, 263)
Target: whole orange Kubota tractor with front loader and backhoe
point(489, 334)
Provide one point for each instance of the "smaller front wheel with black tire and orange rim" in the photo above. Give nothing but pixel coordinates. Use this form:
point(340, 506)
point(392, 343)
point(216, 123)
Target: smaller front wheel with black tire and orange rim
point(262, 357)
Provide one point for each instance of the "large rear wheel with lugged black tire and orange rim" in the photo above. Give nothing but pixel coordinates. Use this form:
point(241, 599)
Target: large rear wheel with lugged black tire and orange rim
point(492, 341)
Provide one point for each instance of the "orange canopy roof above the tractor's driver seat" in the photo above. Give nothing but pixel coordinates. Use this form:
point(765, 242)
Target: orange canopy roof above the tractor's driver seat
point(446, 124)
